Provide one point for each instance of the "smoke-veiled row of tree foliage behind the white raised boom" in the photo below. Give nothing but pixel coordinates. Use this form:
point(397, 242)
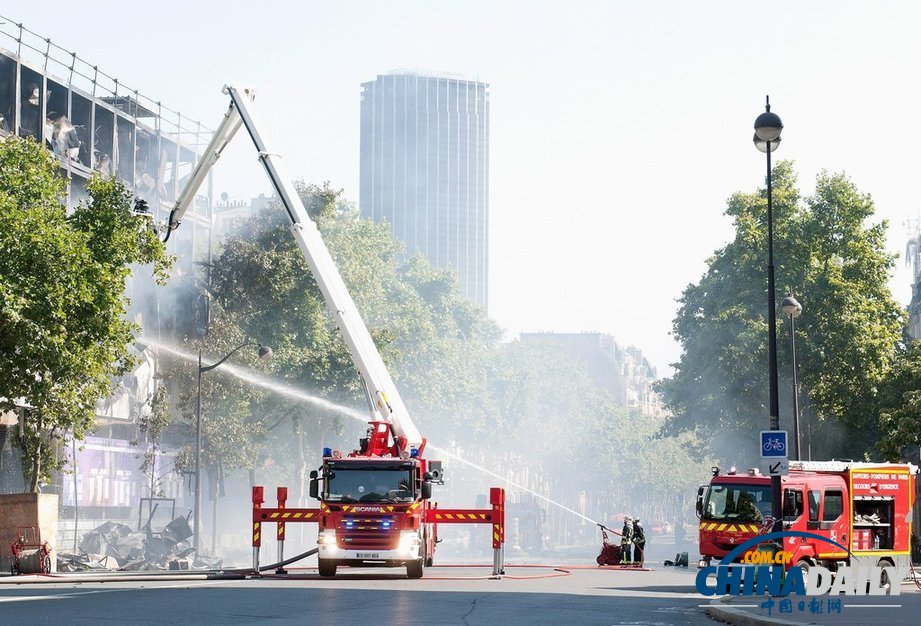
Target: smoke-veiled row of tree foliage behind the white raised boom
point(508, 405)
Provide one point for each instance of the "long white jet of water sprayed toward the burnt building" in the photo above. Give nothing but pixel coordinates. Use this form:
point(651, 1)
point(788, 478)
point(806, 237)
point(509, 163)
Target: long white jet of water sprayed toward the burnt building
point(268, 384)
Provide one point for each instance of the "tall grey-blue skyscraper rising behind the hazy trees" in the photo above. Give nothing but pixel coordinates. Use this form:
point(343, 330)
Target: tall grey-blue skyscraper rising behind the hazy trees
point(425, 169)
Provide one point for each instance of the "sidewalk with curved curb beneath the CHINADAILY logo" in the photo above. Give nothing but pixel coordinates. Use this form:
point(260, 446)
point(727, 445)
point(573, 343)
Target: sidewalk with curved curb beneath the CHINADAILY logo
point(901, 610)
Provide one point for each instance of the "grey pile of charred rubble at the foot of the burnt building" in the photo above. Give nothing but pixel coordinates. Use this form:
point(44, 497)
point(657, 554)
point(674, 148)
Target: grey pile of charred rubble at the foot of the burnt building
point(116, 547)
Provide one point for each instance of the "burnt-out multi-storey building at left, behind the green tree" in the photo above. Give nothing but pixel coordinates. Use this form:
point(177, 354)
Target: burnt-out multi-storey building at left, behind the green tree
point(94, 124)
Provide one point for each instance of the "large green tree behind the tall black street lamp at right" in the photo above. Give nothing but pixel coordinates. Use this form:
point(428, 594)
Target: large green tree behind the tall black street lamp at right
point(834, 260)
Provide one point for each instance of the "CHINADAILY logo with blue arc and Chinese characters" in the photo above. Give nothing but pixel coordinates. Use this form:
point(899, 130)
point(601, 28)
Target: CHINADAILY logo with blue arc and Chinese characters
point(759, 567)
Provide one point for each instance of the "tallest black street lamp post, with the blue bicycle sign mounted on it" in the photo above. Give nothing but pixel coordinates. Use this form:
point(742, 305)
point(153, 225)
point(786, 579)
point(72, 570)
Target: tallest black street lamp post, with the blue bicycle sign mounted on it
point(767, 138)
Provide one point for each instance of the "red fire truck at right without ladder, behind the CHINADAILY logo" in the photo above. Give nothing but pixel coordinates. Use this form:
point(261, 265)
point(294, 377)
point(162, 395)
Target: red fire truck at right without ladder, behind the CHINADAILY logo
point(866, 507)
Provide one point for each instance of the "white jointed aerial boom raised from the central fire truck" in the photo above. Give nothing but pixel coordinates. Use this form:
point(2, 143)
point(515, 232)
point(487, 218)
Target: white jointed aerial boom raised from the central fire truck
point(385, 399)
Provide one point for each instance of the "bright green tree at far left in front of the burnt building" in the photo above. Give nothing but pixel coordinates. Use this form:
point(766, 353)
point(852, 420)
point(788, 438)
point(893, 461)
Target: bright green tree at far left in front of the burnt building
point(64, 335)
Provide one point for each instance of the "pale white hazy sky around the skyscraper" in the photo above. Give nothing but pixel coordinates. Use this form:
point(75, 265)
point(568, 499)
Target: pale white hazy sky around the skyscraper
point(618, 129)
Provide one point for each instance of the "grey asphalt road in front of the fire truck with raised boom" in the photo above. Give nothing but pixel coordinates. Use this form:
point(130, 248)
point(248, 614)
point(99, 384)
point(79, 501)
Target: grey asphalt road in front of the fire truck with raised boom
point(446, 595)
